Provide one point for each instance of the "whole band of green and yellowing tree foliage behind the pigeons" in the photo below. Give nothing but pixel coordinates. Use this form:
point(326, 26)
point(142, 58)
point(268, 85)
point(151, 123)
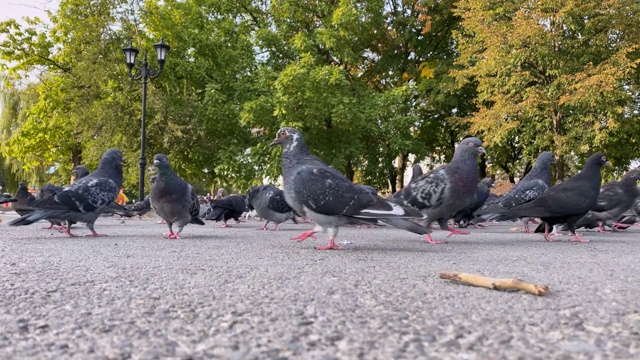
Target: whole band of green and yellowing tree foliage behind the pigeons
point(371, 84)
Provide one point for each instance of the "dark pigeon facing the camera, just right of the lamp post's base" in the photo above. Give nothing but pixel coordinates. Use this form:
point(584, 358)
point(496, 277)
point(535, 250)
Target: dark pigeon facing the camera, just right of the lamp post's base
point(173, 199)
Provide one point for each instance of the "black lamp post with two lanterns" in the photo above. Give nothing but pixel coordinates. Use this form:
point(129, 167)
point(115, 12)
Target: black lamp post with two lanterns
point(144, 73)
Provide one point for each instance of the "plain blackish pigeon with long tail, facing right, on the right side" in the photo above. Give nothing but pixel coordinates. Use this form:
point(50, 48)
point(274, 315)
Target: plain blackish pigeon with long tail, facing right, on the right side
point(564, 203)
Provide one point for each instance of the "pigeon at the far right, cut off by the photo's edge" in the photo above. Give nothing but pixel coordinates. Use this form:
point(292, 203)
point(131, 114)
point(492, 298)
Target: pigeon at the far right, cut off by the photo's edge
point(614, 199)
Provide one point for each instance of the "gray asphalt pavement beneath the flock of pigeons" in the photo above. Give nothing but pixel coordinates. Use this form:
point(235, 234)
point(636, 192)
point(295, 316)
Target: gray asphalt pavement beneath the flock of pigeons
point(240, 293)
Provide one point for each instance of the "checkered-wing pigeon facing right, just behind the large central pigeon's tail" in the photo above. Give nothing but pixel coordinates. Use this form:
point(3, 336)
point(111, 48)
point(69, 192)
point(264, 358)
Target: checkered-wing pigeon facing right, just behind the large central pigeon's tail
point(442, 192)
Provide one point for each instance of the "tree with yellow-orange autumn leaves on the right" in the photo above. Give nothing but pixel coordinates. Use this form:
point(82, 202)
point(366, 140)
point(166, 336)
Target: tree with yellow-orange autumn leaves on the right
point(552, 76)
